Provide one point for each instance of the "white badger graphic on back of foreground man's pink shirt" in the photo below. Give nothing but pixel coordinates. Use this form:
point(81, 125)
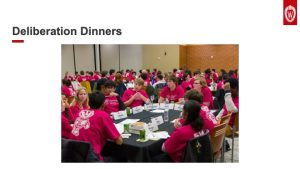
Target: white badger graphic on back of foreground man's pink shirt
point(82, 121)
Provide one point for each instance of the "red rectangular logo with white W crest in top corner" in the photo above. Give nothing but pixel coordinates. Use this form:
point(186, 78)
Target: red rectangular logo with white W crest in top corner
point(290, 12)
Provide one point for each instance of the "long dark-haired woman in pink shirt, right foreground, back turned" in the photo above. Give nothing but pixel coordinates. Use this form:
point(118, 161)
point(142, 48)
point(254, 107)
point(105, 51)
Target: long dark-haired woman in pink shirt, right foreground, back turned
point(174, 147)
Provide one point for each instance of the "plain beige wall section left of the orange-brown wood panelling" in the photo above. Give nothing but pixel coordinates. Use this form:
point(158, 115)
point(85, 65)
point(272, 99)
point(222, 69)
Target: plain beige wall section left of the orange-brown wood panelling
point(162, 57)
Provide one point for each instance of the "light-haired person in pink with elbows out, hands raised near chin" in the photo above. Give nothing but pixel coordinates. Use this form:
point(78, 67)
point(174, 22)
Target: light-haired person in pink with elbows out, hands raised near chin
point(136, 96)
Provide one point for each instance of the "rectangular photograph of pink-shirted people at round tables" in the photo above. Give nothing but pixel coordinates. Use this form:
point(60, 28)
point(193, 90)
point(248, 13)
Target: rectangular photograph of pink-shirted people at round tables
point(150, 103)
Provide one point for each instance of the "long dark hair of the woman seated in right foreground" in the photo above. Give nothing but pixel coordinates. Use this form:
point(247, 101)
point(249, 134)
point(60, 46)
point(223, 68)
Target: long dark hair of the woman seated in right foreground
point(192, 108)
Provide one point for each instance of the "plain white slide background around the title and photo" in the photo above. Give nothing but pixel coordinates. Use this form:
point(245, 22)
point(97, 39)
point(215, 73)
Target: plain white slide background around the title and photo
point(268, 68)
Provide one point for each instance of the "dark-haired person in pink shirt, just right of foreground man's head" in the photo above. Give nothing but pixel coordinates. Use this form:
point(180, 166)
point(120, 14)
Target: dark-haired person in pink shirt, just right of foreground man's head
point(113, 102)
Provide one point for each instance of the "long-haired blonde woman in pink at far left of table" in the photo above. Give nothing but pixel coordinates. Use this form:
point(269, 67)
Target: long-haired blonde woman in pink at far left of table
point(80, 102)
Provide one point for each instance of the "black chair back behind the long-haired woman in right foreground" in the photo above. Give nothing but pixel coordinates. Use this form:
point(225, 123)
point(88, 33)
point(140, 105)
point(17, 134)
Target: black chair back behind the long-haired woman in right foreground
point(198, 149)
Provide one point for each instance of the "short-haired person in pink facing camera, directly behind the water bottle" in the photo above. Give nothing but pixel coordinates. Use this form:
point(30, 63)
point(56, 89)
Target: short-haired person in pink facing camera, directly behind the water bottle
point(172, 91)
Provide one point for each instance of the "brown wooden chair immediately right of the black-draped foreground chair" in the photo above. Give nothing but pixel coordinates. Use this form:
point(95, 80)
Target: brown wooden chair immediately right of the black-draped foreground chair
point(217, 138)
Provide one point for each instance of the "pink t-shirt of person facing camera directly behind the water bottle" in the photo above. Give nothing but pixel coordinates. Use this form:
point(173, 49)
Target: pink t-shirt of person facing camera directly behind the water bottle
point(174, 95)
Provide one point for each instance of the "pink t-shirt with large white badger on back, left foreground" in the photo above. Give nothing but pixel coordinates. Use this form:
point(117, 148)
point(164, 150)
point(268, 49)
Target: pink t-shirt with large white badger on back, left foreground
point(96, 127)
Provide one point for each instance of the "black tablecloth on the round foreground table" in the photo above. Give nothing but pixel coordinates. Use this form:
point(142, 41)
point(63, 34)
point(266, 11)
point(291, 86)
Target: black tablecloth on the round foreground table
point(134, 151)
